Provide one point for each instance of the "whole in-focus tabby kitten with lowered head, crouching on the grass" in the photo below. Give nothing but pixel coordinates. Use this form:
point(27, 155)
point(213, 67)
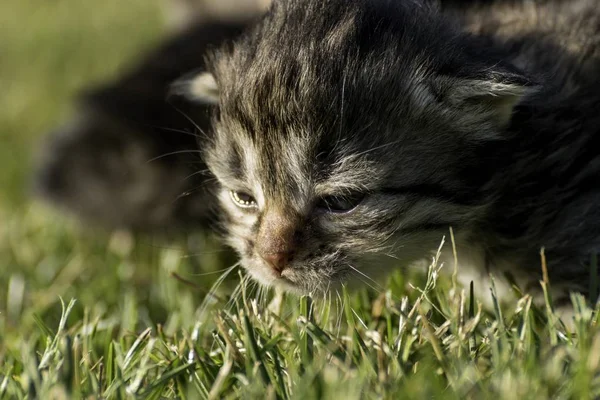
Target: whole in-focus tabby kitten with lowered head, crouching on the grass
point(351, 134)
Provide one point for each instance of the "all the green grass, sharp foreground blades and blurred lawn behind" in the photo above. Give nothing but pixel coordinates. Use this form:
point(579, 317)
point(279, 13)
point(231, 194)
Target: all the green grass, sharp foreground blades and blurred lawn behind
point(88, 314)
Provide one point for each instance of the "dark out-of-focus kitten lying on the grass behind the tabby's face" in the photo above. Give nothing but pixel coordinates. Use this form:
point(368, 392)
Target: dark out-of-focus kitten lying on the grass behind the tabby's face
point(128, 158)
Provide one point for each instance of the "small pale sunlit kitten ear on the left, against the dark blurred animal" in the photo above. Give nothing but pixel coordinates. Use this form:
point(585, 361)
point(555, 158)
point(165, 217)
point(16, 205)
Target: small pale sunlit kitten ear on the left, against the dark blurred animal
point(198, 87)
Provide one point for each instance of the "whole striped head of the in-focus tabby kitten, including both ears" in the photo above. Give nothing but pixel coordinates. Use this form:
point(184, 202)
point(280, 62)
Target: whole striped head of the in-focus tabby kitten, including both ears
point(348, 133)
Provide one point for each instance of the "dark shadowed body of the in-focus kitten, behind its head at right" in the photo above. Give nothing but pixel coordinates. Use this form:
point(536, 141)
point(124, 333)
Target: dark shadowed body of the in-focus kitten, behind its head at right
point(548, 191)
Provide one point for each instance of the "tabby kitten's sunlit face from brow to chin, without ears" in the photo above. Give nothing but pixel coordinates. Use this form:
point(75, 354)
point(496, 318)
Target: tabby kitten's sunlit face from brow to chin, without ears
point(308, 220)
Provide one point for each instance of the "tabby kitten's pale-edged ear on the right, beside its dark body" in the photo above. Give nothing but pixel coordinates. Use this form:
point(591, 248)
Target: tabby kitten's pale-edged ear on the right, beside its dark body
point(491, 96)
